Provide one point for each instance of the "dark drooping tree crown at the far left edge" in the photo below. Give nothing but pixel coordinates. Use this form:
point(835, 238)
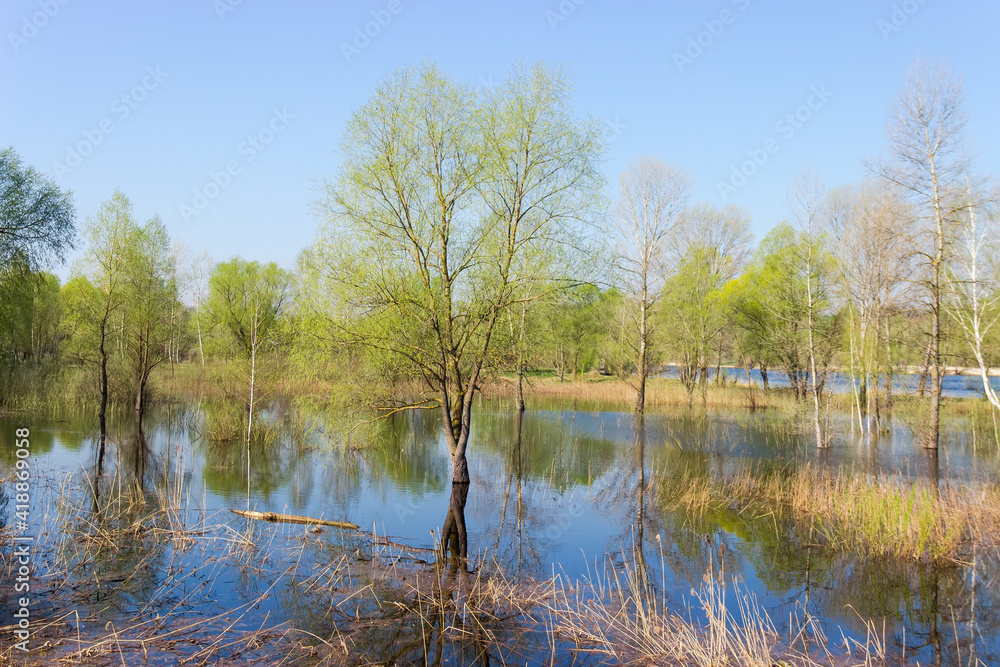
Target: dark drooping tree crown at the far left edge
point(36, 218)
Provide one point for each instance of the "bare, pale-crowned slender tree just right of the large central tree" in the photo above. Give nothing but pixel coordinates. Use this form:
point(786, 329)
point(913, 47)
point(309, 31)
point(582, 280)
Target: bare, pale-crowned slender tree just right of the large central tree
point(652, 196)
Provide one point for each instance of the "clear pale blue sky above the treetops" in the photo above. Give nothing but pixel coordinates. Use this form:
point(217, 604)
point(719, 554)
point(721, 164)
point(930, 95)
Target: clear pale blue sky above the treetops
point(198, 77)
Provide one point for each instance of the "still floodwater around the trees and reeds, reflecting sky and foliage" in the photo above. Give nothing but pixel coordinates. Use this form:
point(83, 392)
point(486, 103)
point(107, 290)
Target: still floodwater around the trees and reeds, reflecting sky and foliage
point(554, 491)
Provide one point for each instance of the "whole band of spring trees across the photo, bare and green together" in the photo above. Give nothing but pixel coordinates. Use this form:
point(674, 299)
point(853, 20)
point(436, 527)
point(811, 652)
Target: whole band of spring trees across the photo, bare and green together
point(490, 250)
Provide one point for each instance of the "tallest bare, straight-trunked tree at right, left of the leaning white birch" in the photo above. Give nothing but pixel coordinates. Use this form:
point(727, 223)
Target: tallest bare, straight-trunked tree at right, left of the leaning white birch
point(928, 161)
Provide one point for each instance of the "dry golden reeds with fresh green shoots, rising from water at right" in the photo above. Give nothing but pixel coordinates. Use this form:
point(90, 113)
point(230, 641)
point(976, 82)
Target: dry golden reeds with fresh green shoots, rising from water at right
point(882, 517)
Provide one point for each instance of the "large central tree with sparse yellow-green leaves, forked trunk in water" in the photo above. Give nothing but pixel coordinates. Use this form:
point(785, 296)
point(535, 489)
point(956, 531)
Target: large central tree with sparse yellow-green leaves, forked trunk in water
point(450, 209)
